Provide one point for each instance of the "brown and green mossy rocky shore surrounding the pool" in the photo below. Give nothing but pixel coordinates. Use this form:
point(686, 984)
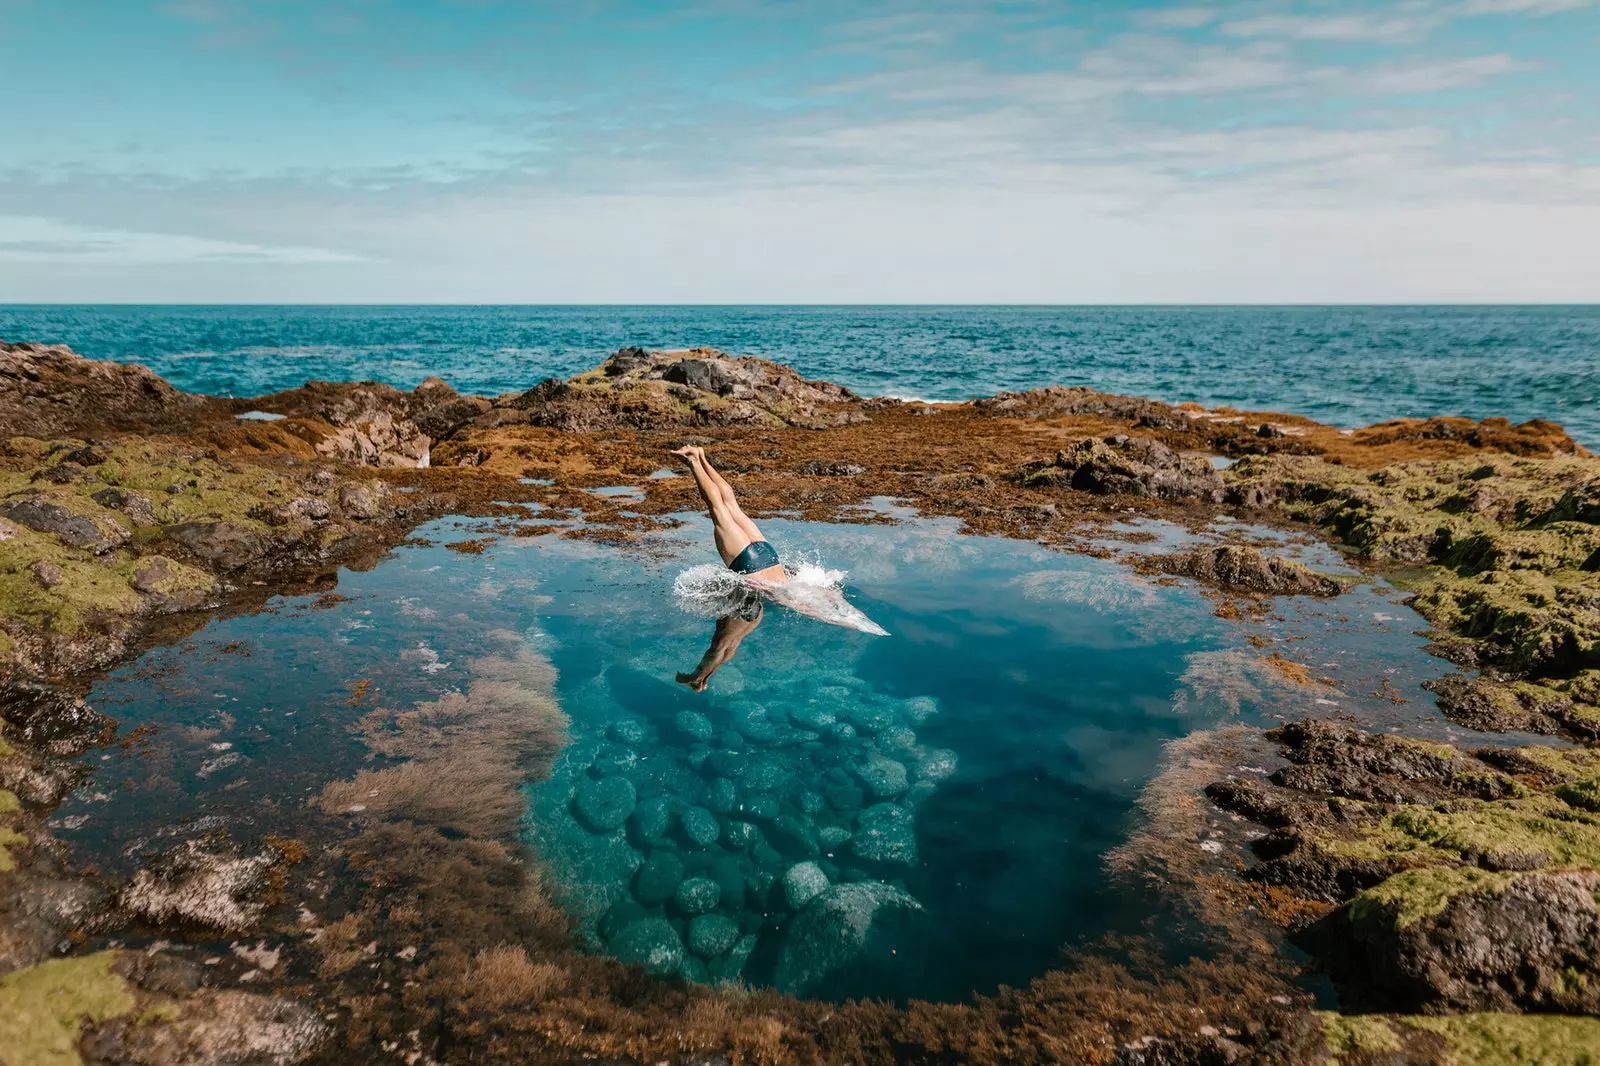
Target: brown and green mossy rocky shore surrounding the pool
point(1449, 894)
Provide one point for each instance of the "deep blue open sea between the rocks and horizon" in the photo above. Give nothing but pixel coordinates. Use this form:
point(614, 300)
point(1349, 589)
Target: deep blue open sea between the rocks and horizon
point(1343, 366)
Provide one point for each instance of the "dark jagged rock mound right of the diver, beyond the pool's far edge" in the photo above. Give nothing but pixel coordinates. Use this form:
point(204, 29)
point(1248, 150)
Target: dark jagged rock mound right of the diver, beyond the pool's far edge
point(1129, 467)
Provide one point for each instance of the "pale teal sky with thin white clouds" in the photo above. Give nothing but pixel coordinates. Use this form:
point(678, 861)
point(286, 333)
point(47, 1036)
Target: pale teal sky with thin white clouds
point(799, 151)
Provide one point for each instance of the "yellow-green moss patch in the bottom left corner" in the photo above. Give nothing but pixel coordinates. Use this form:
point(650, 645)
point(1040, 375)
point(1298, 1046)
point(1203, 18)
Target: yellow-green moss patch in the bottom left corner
point(44, 1009)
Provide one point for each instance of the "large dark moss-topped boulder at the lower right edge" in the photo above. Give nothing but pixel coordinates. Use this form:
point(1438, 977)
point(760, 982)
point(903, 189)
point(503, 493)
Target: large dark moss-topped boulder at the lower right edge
point(1465, 940)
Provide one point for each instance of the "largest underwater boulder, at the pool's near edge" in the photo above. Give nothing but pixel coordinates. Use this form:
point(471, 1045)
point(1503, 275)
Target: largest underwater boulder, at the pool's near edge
point(852, 940)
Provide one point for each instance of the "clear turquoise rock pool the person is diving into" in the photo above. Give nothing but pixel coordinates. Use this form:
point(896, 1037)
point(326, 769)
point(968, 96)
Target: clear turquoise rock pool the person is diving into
point(919, 816)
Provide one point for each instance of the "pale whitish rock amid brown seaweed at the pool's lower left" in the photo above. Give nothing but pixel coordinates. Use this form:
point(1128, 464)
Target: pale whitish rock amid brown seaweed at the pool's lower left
point(201, 883)
